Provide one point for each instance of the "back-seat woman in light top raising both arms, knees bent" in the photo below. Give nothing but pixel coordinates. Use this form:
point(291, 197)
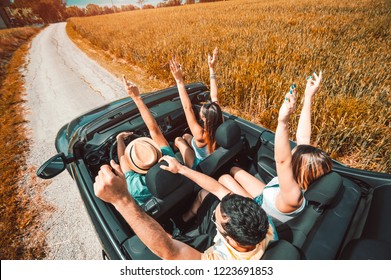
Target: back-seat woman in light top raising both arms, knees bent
point(282, 198)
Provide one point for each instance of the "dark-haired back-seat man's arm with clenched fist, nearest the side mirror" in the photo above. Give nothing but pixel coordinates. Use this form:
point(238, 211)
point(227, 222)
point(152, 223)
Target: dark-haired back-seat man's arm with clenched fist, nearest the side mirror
point(111, 188)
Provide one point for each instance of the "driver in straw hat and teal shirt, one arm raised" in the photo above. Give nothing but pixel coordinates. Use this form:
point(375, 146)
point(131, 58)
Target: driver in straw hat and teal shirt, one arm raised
point(142, 153)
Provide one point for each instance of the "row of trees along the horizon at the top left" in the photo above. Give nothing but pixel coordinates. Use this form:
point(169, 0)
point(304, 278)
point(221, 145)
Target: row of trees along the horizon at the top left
point(27, 12)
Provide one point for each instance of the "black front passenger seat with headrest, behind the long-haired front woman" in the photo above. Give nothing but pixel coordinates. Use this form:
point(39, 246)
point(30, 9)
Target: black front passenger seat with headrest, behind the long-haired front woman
point(228, 137)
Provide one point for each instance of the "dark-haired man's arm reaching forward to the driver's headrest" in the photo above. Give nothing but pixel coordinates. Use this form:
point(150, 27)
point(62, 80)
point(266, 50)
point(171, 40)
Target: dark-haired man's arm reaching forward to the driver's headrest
point(204, 181)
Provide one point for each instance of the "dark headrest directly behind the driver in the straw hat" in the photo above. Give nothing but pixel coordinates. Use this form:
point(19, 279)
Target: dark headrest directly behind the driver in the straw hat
point(161, 182)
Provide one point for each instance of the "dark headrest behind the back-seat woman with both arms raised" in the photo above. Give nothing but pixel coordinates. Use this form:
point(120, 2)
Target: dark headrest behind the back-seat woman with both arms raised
point(324, 190)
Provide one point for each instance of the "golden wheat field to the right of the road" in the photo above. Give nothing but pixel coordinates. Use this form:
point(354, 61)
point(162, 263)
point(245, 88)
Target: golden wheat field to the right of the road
point(265, 46)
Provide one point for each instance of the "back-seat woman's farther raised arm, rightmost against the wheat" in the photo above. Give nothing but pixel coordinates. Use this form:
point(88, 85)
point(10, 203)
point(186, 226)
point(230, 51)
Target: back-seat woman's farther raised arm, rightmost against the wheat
point(303, 135)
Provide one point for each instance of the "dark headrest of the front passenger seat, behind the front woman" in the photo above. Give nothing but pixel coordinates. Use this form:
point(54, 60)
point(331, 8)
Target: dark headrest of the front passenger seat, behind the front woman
point(228, 134)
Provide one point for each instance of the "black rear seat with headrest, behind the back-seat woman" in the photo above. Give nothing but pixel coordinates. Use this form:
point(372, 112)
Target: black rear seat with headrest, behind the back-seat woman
point(319, 230)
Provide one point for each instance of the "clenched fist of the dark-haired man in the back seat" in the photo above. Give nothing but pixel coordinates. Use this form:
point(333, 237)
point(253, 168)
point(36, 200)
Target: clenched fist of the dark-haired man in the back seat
point(110, 184)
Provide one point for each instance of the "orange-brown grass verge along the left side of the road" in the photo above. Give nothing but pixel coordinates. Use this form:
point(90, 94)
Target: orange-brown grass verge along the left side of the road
point(22, 234)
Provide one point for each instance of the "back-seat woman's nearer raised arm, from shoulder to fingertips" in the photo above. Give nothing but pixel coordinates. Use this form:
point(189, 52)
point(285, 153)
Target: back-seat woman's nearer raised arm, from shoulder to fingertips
point(290, 192)
